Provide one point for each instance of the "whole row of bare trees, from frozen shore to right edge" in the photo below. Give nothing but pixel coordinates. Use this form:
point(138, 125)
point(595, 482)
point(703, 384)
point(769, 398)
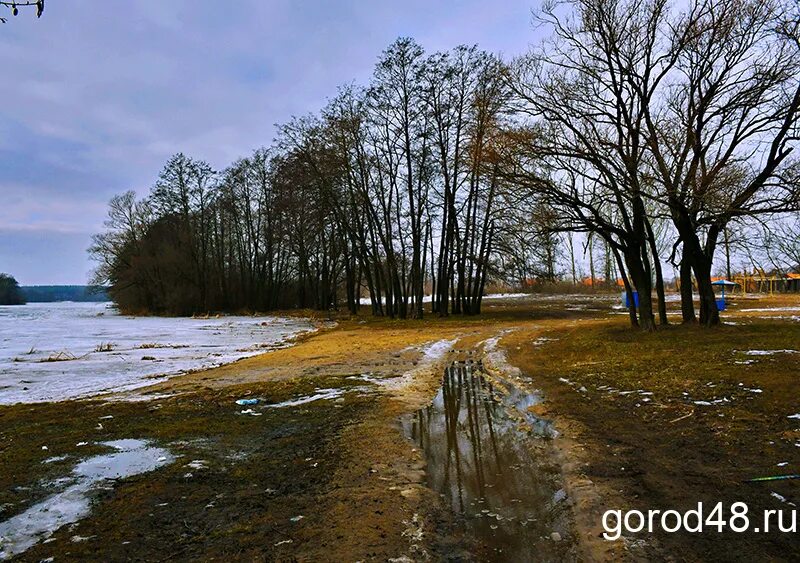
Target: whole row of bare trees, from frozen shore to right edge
point(647, 128)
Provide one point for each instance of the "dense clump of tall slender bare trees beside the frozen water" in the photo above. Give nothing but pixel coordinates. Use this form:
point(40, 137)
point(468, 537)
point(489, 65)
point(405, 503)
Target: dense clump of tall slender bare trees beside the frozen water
point(392, 191)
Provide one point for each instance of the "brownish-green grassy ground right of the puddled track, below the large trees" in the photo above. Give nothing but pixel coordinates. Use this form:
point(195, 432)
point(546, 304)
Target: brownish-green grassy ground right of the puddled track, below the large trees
point(669, 419)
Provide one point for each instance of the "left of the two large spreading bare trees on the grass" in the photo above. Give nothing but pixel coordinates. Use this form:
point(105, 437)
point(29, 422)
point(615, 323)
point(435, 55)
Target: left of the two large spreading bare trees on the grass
point(585, 145)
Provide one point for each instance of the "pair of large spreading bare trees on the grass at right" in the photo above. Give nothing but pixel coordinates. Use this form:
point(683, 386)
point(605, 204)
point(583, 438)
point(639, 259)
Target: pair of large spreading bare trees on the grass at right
point(638, 113)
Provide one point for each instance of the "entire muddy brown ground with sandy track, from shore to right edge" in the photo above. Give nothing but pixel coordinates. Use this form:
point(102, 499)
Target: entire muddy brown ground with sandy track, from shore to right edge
point(342, 478)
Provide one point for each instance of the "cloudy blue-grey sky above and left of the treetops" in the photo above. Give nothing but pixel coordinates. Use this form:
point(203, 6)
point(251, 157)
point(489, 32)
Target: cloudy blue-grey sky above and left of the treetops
point(97, 95)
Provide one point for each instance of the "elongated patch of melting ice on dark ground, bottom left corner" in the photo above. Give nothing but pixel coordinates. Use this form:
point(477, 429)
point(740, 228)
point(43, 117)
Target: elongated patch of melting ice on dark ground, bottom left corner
point(41, 520)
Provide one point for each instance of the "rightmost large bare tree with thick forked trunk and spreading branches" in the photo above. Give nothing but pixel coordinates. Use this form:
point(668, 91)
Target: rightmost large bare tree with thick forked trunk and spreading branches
point(723, 127)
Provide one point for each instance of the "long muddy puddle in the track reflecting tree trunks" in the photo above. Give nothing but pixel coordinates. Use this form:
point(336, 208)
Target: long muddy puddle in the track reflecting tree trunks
point(495, 475)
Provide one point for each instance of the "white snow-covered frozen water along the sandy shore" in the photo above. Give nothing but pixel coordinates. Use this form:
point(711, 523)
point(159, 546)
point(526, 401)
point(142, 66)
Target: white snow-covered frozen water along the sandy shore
point(56, 351)
